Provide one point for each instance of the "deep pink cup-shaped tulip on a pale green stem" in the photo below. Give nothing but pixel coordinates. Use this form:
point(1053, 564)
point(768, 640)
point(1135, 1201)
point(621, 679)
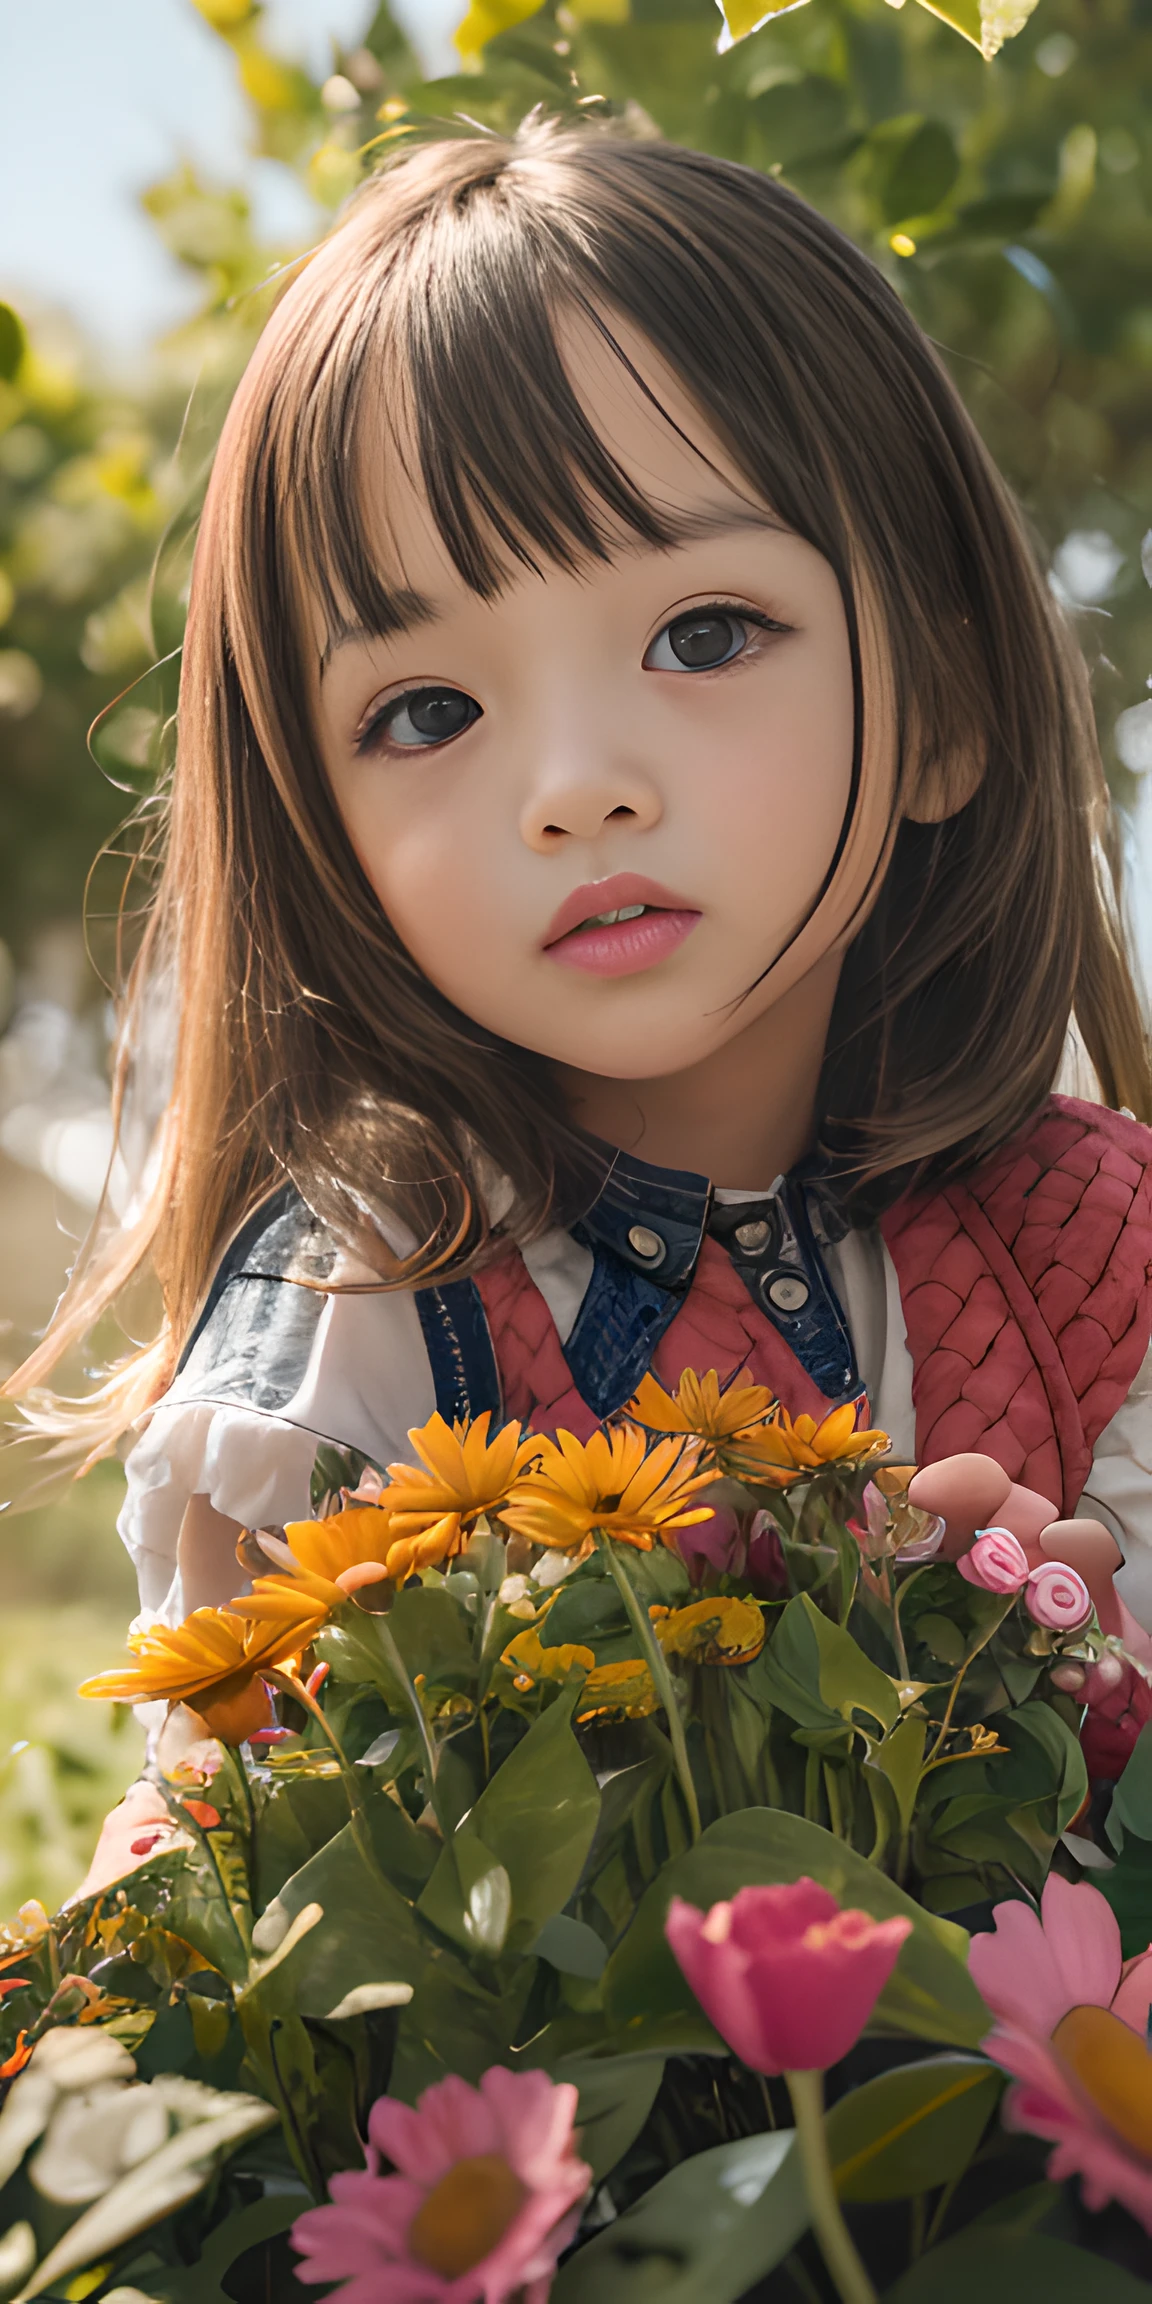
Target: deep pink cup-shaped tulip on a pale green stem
point(787, 1978)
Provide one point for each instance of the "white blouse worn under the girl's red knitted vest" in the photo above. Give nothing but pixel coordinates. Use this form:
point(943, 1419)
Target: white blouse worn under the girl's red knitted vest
point(367, 1384)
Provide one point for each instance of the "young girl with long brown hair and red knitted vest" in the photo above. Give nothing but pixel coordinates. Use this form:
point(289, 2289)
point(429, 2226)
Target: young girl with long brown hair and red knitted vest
point(635, 856)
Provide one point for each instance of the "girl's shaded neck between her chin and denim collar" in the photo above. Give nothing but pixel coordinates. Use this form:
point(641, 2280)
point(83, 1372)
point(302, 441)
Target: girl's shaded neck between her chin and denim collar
point(743, 1116)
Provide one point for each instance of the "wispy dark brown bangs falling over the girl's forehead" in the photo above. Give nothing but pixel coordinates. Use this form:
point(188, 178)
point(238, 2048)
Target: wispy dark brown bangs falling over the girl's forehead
point(471, 402)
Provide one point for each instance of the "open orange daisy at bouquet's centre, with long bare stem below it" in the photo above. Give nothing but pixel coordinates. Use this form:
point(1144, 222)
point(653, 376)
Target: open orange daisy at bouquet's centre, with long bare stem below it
point(619, 1480)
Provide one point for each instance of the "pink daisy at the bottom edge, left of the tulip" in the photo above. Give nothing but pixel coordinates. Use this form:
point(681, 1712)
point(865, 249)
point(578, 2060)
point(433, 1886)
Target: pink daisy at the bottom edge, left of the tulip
point(485, 2199)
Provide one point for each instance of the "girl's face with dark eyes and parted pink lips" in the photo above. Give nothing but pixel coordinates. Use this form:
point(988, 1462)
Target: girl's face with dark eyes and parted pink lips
point(600, 808)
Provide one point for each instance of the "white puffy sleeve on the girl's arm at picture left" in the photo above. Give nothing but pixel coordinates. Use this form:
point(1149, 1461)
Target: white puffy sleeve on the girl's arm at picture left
point(273, 1372)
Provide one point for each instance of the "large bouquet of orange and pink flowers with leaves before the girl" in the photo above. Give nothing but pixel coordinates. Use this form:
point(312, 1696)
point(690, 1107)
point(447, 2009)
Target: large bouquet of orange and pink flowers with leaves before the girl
point(543, 1826)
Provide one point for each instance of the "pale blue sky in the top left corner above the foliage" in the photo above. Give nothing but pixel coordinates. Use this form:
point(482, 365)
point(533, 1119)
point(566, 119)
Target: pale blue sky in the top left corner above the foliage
point(98, 98)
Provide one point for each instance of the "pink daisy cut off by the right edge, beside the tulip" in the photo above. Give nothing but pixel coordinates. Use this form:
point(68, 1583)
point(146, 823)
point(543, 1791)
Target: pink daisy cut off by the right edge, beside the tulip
point(1073, 2029)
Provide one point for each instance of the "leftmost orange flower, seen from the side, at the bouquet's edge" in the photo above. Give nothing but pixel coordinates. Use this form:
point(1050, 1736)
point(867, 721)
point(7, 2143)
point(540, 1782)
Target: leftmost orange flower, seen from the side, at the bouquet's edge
point(213, 1662)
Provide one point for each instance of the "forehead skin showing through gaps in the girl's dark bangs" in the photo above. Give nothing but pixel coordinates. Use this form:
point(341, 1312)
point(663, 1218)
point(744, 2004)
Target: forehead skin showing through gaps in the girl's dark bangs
point(642, 416)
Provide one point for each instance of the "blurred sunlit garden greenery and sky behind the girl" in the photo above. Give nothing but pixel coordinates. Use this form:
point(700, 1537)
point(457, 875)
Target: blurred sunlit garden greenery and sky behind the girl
point(160, 160)
